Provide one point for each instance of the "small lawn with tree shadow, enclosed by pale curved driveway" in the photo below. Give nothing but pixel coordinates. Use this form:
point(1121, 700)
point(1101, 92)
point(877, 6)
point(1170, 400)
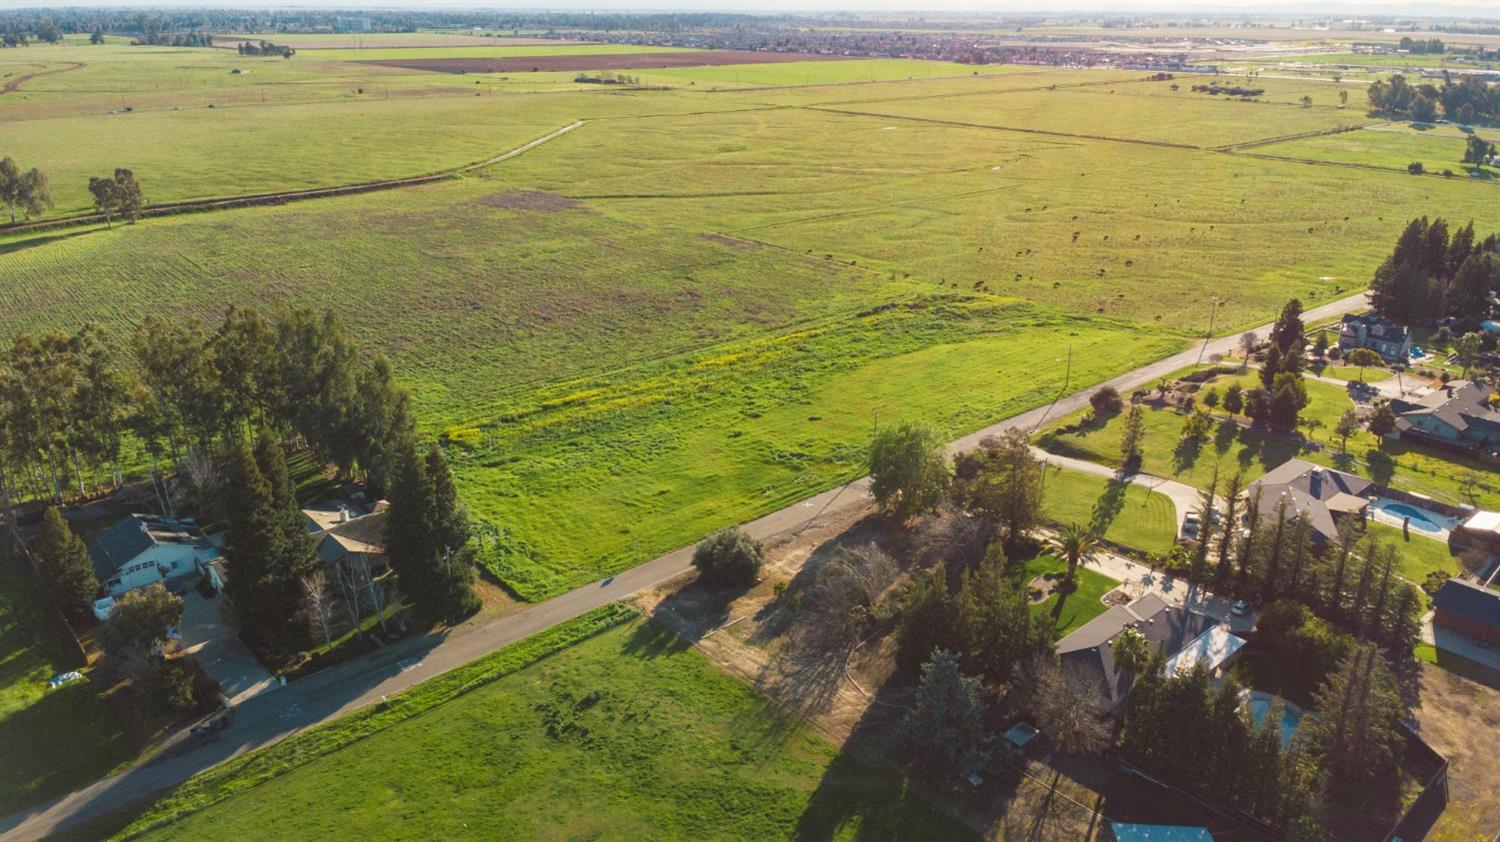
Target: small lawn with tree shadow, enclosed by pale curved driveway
point(1133, 516)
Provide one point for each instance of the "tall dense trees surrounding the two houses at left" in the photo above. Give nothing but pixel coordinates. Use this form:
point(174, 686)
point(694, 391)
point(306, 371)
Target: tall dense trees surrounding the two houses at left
point(214, 415)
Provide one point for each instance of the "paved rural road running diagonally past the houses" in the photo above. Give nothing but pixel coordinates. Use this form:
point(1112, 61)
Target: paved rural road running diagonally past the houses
point(277, 715)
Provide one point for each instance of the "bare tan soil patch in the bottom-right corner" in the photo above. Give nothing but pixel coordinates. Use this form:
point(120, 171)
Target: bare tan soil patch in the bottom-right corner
point(1462, 721)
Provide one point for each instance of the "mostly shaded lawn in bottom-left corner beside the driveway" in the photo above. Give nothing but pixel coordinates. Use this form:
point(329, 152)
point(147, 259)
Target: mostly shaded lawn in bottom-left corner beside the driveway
point(52, 741)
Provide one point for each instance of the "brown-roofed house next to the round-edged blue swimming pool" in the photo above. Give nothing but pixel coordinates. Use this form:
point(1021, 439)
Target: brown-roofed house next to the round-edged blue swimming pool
point(1322, 495)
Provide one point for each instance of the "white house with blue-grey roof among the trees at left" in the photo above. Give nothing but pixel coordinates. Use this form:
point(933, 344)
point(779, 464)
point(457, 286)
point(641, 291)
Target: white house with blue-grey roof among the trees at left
point(143, 550)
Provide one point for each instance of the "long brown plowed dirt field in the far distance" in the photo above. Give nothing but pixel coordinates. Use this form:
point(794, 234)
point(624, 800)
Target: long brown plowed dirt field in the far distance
point(610, 62)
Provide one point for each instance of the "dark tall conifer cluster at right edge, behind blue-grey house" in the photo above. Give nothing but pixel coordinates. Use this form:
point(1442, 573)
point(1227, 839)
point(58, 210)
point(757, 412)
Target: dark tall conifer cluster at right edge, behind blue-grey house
point(1435, 272)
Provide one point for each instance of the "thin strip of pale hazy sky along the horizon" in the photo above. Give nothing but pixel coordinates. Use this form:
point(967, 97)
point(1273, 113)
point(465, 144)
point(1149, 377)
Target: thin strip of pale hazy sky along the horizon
point(1282, 8)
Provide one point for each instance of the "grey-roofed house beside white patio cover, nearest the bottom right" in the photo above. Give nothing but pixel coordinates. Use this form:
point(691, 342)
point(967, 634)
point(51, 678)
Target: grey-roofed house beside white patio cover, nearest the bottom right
point(1090, 649)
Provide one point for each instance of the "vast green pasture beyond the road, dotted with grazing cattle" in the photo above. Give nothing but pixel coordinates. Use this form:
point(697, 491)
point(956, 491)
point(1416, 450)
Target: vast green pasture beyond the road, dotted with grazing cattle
point(686, 313)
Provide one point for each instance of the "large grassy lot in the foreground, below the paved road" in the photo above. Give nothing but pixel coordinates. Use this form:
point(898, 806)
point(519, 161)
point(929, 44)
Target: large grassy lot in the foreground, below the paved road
point(631, 735)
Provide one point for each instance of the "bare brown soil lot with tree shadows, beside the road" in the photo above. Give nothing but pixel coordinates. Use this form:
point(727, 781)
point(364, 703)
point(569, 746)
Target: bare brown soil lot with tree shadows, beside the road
point(845, 687)
